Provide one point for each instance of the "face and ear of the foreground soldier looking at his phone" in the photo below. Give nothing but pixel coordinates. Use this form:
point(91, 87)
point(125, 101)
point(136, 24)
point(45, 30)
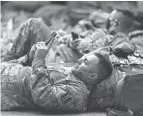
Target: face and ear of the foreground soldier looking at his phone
point(87, 69)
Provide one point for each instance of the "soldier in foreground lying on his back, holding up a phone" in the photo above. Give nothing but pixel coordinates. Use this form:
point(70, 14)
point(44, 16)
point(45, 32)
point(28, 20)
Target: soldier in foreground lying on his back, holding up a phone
point(51, 88)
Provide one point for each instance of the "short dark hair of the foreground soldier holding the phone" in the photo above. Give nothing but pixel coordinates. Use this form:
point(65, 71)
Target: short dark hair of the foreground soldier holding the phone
point(106, 63)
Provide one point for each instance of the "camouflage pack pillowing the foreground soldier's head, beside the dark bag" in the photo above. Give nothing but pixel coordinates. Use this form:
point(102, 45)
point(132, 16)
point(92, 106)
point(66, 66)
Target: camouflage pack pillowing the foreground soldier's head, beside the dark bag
point(104, 94)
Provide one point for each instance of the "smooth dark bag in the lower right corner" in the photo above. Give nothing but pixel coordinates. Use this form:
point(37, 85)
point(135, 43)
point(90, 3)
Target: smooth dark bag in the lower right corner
point(129, 94)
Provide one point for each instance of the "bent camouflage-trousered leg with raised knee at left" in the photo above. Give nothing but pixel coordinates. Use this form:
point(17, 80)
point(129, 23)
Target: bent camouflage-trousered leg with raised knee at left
point(30, 32)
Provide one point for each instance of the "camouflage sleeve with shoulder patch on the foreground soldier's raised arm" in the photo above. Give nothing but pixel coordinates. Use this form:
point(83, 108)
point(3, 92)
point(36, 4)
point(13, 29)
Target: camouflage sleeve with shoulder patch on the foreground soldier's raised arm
point(60, 96)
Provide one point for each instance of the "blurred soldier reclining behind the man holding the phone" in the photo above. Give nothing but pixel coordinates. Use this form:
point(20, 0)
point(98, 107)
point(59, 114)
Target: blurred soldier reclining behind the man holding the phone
point(94, 38)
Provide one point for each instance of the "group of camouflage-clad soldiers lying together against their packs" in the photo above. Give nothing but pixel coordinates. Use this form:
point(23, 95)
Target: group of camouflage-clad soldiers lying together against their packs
point(105, 51)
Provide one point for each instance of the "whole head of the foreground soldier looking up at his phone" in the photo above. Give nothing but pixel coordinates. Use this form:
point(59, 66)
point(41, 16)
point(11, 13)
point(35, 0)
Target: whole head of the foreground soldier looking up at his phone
point(93, 68)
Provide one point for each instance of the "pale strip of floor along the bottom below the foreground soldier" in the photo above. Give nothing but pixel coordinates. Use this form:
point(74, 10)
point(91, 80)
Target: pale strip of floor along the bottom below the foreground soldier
point(16, 113)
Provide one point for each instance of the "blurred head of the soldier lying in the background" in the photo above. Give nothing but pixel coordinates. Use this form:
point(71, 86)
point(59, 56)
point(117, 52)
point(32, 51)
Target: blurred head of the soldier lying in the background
point(120, 20)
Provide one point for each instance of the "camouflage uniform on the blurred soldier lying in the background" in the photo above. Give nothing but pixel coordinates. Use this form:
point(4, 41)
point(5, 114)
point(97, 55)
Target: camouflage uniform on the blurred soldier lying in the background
point(88, 41)
